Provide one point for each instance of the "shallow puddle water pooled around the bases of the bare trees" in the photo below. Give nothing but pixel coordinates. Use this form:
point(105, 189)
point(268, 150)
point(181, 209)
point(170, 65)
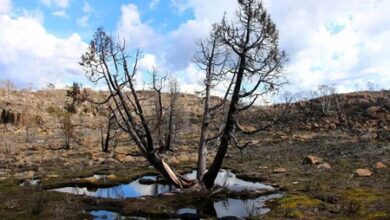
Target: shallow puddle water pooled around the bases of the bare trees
point(152, 186)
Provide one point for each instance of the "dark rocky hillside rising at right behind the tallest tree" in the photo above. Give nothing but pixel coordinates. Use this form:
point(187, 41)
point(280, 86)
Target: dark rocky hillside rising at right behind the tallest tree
point(366, 114)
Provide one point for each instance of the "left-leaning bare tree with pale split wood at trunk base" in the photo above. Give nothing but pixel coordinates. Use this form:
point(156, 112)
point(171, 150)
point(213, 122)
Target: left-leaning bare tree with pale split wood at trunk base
point(108, 61)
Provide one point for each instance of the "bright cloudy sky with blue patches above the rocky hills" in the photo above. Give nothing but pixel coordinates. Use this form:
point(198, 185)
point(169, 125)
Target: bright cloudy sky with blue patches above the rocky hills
point(341, 42)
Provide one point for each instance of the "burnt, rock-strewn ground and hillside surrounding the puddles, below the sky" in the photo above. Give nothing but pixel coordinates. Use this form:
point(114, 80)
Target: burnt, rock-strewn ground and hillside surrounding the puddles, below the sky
point(356, 137)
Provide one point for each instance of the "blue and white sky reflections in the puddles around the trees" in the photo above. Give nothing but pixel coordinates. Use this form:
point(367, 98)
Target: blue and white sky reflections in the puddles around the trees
point(224, 208)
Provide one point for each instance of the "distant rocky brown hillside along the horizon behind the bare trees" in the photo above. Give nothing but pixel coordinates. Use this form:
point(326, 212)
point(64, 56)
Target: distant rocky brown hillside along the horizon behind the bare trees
point(363, 113)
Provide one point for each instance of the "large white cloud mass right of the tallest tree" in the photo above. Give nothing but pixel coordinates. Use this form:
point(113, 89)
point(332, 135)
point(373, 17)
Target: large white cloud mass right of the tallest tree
point(333, 42)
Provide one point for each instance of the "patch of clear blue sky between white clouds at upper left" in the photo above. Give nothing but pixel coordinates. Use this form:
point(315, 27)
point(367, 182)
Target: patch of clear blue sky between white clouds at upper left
point(63, 20)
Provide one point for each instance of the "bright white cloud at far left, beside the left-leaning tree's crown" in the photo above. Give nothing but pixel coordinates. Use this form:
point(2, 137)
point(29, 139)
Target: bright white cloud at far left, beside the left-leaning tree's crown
point(31, 54)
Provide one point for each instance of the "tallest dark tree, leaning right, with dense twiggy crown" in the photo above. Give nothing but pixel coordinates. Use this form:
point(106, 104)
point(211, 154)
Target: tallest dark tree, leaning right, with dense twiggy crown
point(253, 39)
